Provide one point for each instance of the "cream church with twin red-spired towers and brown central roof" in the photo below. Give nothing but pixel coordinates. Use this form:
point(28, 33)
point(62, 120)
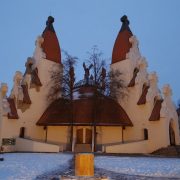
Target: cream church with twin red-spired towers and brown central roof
point(142, 122)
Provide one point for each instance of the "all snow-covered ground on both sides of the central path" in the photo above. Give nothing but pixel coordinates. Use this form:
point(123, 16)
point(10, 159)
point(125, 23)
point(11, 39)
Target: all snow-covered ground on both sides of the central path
point(32, 165)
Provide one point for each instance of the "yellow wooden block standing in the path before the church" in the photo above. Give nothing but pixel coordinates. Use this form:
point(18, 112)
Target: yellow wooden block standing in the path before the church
point(84, 164)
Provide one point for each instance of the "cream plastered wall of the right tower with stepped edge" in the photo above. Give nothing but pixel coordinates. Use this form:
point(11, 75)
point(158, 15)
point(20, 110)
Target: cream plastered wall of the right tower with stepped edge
point(158, 131)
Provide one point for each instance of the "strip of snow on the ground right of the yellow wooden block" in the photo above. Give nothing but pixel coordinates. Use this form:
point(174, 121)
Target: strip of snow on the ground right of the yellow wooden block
point(143, 166)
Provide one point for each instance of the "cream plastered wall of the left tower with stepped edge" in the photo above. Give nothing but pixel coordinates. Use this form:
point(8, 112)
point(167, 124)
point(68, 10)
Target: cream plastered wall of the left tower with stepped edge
point(11, 127)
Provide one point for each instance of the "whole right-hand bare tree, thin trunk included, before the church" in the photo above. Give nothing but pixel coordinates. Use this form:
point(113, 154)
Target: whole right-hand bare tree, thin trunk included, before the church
point(107, 83)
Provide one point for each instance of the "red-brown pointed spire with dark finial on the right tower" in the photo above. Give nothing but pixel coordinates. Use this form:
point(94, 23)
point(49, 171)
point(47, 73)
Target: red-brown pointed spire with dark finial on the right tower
point(122, 44)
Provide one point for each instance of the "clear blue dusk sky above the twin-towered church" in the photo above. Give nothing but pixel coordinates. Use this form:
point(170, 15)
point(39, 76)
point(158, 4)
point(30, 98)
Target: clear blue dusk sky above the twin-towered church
point(81, 24)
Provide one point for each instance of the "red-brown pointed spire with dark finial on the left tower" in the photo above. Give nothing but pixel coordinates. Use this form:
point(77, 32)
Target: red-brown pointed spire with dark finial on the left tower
point(51, 45)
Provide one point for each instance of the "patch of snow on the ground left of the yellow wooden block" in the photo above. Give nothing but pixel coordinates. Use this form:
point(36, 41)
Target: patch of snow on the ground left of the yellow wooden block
point(29, 165)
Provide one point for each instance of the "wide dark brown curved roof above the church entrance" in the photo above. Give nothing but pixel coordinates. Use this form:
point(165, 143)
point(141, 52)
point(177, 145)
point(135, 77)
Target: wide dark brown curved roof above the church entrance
point(88, 111)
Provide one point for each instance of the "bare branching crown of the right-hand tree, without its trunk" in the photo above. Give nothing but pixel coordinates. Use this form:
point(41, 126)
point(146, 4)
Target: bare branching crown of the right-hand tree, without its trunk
point(108, 82)
